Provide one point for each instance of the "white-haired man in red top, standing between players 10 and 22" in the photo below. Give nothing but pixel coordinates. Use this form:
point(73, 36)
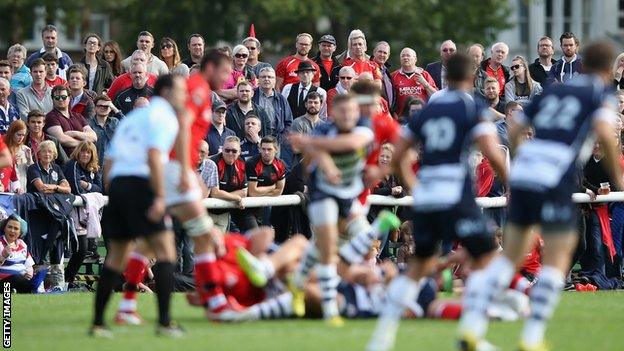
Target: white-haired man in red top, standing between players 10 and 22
point(493, 67)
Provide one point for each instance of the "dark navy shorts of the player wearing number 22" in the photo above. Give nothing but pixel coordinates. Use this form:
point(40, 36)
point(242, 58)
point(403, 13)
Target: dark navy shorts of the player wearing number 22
point(552, 209)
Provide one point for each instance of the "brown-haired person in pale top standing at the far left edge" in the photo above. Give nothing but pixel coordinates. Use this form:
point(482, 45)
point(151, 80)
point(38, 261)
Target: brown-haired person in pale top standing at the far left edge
point(21, 154)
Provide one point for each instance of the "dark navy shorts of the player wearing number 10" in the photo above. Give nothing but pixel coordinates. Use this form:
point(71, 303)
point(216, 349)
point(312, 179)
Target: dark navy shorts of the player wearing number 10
point(463, 222)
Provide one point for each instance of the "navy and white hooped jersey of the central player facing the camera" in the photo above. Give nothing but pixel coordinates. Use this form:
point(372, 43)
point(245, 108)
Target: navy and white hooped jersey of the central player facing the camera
point(351, 164)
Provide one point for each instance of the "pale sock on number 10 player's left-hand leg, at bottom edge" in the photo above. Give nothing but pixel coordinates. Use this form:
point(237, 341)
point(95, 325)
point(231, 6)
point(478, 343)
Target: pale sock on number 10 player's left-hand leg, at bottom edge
point(401, 292)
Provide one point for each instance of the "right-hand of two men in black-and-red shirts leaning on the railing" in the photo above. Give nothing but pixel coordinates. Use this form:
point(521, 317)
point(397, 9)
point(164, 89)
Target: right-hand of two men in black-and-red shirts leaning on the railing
point(265, 172)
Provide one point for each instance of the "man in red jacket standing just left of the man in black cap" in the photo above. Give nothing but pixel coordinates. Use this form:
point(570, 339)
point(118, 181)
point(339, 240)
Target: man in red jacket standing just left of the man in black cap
point(286, 69)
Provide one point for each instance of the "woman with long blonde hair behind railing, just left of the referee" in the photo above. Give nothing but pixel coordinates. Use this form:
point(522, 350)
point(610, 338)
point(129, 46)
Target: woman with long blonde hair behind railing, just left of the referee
point(83, 169)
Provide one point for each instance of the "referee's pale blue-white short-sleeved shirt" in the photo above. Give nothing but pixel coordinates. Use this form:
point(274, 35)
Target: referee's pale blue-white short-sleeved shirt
point(153, 126)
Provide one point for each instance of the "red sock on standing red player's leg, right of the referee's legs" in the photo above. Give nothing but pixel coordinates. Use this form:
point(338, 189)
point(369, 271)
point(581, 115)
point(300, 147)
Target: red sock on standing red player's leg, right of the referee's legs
point(207, 281)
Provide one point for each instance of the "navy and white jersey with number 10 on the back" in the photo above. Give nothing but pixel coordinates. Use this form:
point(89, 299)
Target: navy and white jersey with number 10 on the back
point(446, 129)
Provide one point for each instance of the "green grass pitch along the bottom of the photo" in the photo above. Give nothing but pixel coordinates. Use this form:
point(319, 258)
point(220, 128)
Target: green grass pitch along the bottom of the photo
point(584, 321)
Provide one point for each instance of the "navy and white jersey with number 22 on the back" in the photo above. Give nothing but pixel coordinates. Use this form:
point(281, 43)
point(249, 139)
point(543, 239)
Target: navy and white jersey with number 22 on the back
point(562, 117)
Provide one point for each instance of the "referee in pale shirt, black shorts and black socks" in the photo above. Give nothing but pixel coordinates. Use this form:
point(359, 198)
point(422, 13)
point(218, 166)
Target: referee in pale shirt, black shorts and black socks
point(133, 173)
